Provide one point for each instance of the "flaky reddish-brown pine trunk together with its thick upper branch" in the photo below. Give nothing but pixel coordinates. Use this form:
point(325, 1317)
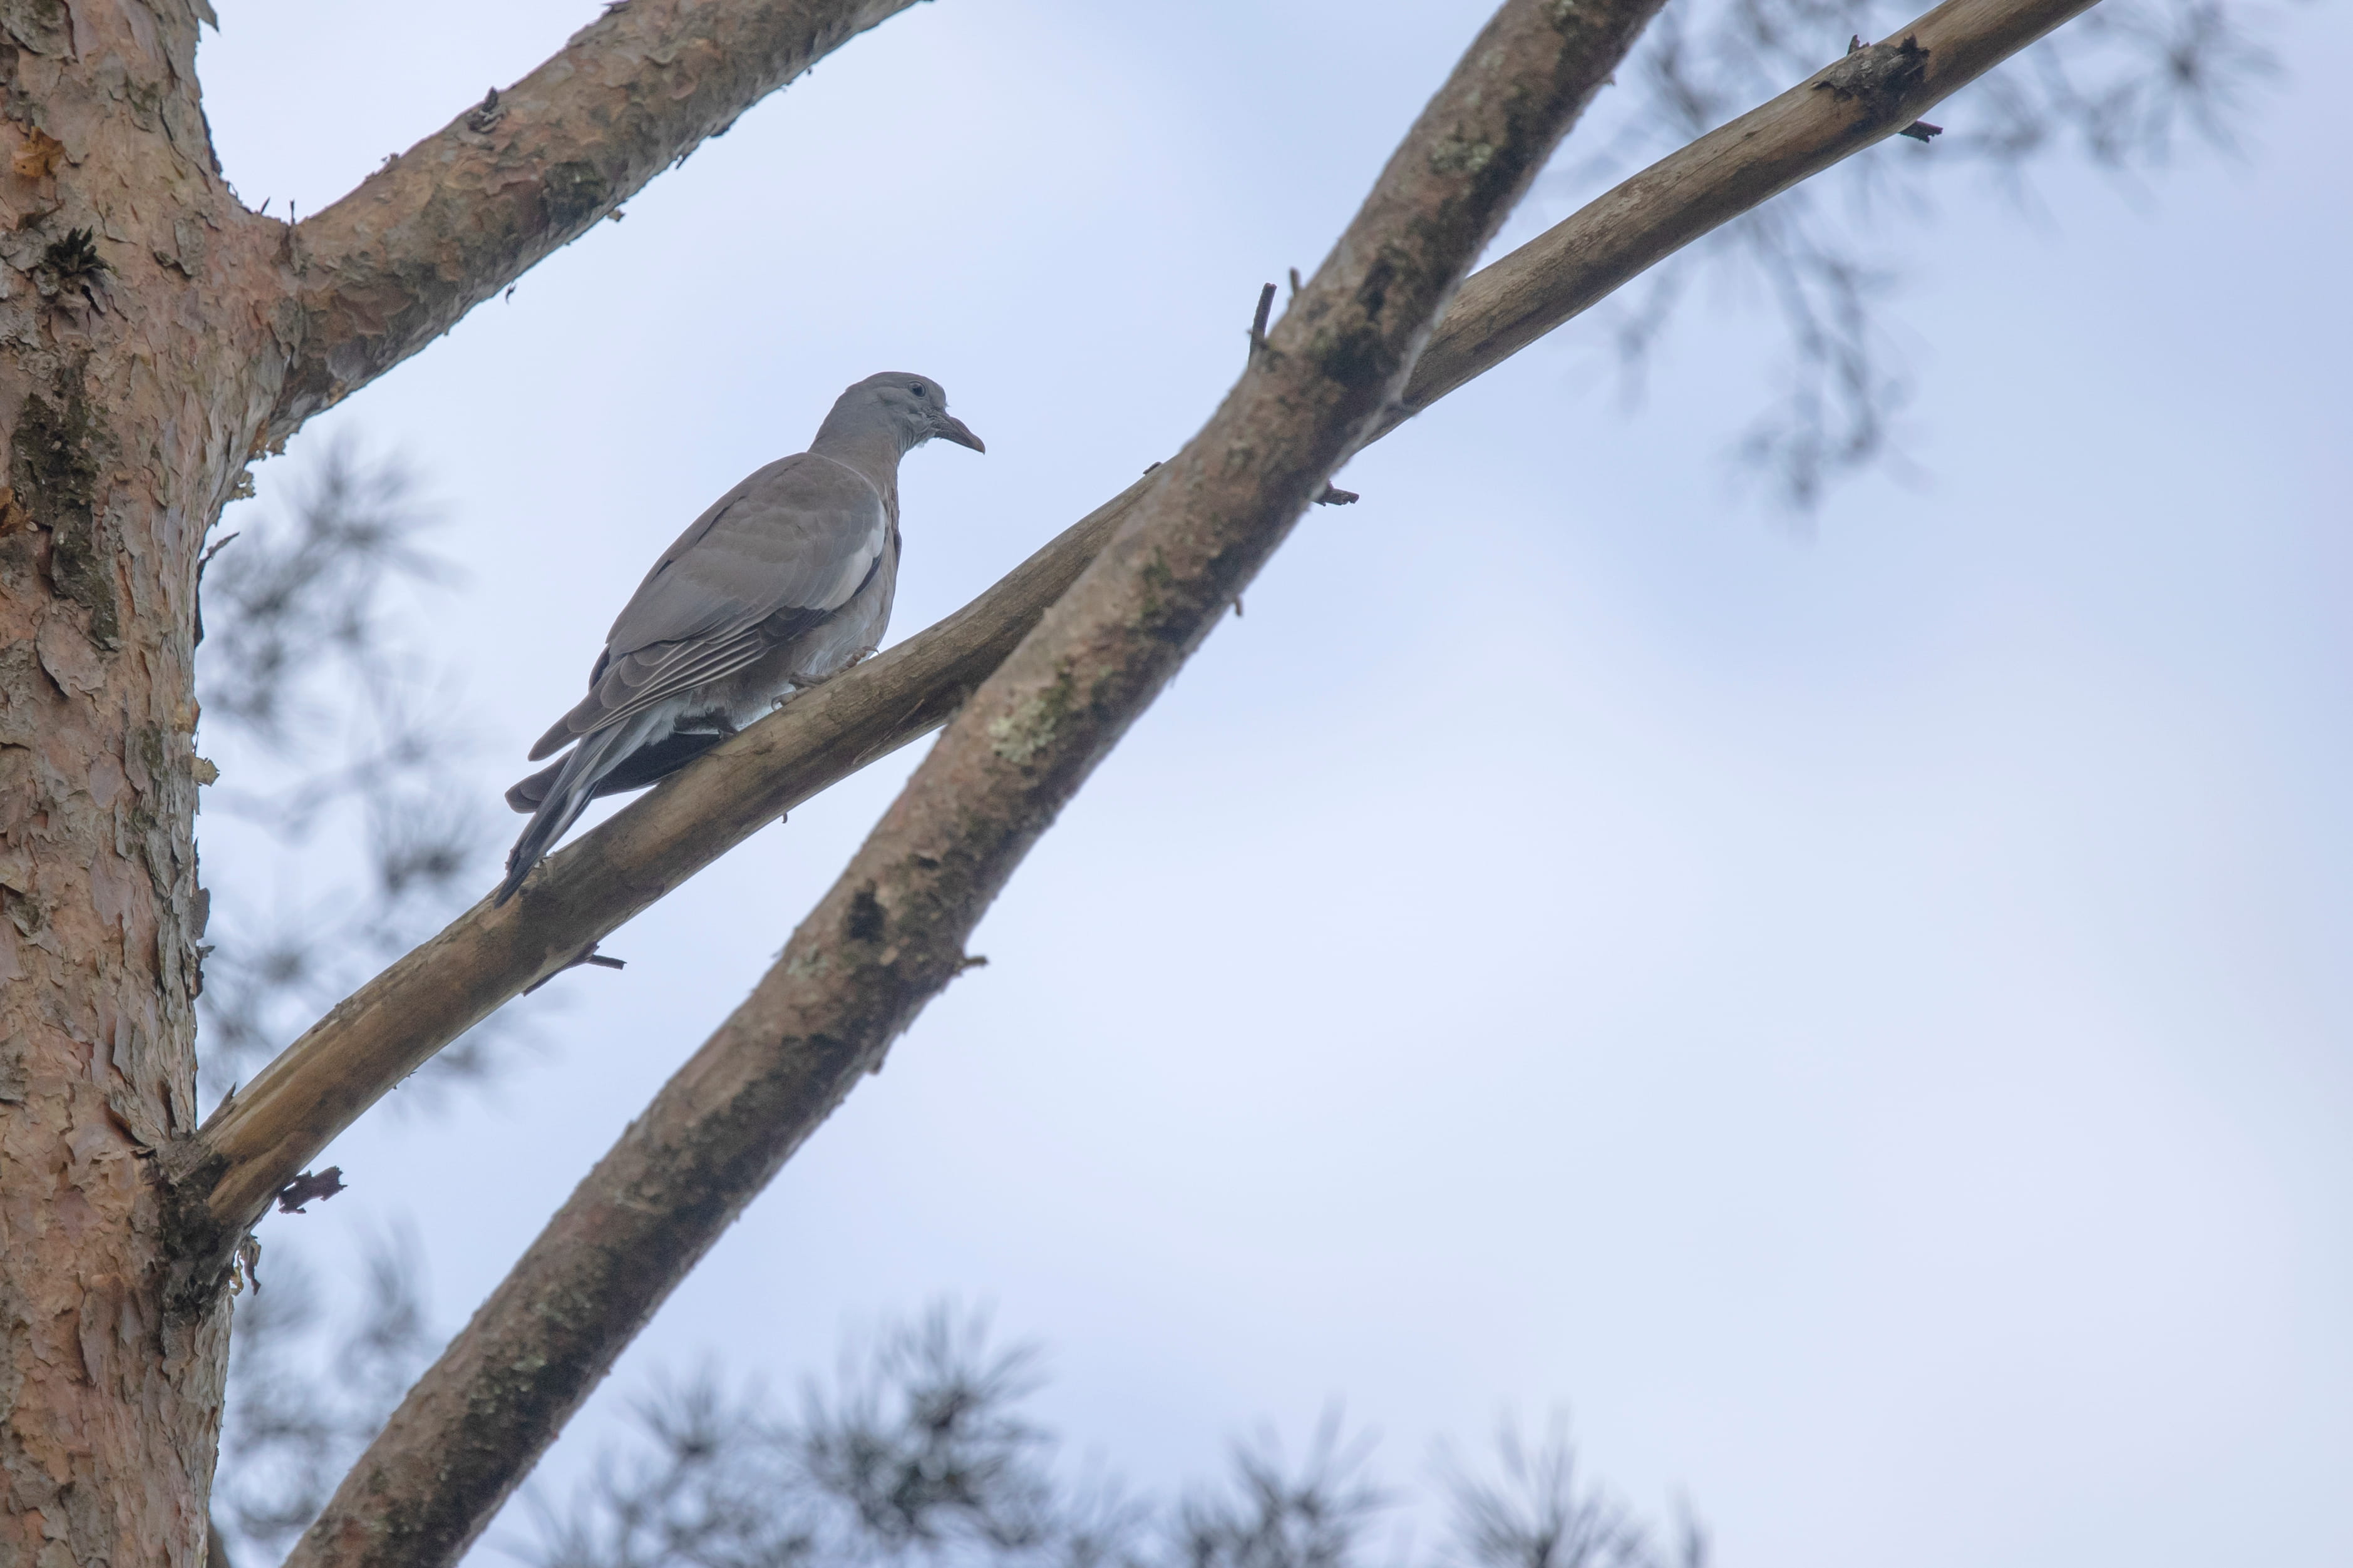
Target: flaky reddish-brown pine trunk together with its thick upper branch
point(147, 337)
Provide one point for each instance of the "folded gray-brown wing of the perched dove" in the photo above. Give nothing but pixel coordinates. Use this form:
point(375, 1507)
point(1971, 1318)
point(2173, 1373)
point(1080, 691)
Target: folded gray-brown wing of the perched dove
point(771, 561)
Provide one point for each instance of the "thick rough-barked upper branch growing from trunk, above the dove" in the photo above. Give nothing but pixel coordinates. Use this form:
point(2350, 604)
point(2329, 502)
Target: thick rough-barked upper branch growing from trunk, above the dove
point(472, 208)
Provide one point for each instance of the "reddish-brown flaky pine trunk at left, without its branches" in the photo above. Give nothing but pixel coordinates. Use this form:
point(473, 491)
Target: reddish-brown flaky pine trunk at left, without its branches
point(138, 363)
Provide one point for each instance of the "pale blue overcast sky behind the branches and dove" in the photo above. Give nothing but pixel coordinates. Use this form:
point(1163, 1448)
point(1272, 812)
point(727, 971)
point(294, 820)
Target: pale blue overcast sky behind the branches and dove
point(1853, 1012)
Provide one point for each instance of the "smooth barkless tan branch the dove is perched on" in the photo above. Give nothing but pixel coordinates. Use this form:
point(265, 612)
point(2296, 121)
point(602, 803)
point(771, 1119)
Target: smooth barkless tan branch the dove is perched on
point(356, 1054)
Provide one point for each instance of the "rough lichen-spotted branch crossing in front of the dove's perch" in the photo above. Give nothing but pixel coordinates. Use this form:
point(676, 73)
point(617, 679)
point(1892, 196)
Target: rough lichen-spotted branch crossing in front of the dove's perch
point(893, 930)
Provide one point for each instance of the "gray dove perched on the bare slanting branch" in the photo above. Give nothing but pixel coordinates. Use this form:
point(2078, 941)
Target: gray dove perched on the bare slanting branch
point(785, 582)
